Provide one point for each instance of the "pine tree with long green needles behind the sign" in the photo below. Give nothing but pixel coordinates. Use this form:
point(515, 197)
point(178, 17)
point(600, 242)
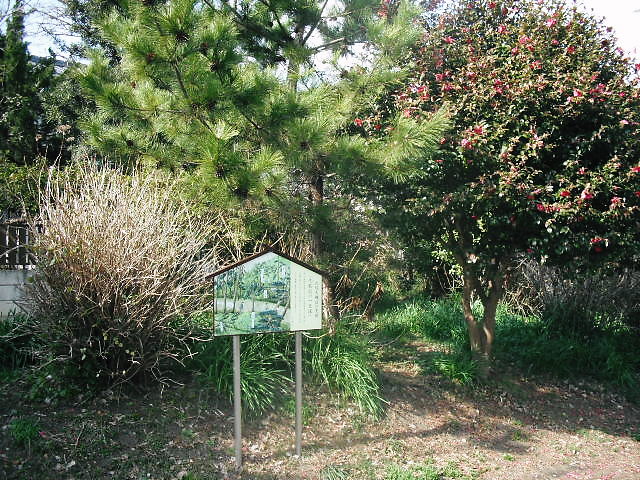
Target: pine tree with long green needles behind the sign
point(194, 92)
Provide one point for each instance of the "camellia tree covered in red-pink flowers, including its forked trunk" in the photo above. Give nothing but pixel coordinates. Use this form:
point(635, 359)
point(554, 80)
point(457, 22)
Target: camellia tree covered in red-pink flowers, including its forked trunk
point(543, 155)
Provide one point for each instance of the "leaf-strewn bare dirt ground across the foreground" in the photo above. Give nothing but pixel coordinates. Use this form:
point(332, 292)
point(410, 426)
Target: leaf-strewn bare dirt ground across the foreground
point(515, 428)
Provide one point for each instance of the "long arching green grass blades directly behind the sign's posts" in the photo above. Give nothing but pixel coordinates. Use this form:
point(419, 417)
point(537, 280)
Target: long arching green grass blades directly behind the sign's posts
point(339, 361)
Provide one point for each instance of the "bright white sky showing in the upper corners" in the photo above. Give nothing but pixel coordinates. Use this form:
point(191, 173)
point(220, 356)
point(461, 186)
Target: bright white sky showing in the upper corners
point(622, 15)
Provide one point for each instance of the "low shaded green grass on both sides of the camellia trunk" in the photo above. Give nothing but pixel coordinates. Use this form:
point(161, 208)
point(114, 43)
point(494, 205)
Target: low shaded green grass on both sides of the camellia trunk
point(566, 344)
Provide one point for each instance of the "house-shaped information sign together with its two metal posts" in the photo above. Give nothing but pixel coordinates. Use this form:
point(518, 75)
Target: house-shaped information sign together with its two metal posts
point(268, 292)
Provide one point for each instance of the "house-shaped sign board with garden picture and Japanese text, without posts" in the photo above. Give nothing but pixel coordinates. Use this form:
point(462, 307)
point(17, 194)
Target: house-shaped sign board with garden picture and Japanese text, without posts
point(269, 293)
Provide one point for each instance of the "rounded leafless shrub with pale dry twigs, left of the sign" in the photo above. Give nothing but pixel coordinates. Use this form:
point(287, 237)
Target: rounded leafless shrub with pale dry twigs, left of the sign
point(121, 266)
